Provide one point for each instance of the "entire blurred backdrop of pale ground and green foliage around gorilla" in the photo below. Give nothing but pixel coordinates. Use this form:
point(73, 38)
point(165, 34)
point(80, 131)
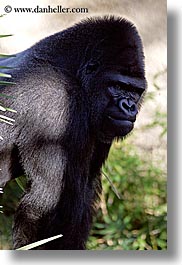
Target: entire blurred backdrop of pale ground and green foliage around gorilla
point(137, 166)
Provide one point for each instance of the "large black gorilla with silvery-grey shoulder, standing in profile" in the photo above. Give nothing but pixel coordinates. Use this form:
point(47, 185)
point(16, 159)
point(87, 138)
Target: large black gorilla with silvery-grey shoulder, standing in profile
point(76, 91)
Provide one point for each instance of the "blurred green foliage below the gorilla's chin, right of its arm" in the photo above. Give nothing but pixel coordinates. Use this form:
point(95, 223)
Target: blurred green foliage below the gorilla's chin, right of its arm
point(138, 221)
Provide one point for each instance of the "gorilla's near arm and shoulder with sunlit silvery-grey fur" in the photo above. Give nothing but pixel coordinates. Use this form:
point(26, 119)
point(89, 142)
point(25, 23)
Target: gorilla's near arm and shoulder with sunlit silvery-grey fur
point(55, 200)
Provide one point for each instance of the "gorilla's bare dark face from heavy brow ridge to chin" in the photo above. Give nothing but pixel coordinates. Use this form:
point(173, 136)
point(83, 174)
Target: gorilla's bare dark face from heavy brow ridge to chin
point(122, 101)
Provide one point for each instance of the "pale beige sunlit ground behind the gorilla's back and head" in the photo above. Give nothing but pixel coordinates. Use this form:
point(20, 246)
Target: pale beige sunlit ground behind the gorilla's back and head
point(149, 16)
